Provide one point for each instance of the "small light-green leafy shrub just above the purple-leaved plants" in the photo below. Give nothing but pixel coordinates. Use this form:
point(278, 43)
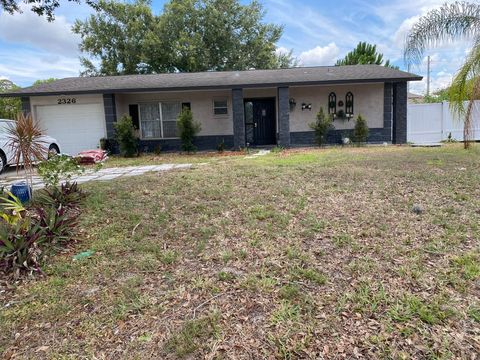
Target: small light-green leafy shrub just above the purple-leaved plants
point(58, 167)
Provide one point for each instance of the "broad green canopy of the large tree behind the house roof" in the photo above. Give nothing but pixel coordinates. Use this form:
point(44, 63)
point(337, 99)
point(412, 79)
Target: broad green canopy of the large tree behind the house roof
point(190, 35)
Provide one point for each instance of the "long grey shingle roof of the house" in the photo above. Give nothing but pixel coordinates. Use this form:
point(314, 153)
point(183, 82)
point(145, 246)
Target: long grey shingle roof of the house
point(219, 80)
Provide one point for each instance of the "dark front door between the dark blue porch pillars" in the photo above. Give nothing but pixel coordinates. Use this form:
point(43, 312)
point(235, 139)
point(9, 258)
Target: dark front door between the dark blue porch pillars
point(260, 122)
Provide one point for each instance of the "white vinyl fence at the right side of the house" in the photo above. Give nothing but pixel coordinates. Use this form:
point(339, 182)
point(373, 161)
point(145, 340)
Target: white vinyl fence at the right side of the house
point(432, 123)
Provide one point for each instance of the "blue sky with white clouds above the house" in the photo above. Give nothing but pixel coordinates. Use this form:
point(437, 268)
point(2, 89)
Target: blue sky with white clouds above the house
point(318, 31)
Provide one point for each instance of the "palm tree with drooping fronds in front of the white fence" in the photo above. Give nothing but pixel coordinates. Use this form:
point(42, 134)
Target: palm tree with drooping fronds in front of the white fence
point(460, 20)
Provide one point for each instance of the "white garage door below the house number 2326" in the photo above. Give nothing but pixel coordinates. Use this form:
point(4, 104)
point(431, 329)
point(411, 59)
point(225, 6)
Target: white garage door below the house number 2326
point(76, 127)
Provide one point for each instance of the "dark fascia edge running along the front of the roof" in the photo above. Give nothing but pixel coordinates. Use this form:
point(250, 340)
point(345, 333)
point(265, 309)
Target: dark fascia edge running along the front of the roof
point(207, 87)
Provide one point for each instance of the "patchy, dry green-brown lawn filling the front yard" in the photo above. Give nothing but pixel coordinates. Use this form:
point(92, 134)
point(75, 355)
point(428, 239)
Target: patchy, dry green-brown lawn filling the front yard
point(297, 254)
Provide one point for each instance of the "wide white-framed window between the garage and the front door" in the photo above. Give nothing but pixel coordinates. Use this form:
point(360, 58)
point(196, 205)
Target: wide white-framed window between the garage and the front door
point(159, 120)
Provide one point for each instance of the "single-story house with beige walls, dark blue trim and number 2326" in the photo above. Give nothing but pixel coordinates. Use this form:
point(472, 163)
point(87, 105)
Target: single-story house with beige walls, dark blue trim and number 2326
point(240, 108)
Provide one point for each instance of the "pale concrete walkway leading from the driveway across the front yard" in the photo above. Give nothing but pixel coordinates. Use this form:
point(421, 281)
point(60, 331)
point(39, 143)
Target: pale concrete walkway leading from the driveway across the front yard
point(104, 174)
